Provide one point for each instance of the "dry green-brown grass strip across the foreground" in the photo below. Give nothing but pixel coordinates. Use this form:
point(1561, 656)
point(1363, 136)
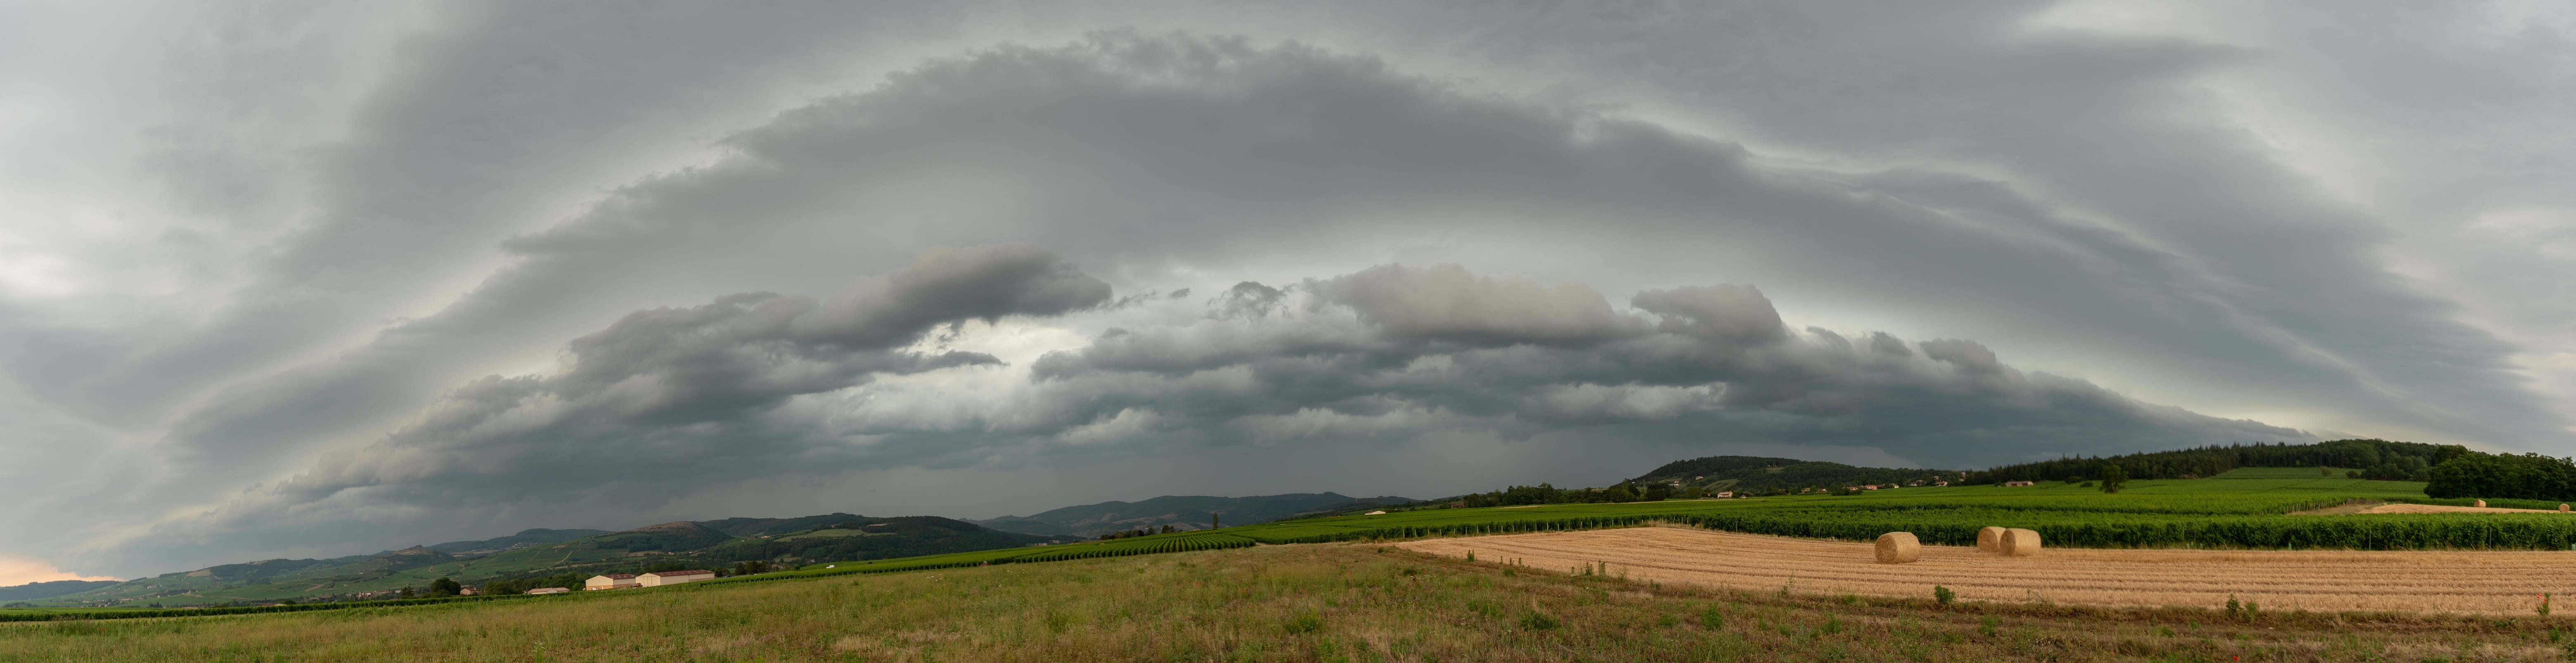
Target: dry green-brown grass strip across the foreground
point(1312, 602)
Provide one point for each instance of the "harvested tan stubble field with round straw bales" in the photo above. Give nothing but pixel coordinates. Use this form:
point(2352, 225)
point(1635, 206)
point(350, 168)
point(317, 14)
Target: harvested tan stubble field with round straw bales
point(2273, 579)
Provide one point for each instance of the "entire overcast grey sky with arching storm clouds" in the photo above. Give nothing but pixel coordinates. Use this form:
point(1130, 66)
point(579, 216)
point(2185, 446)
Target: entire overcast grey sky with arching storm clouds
point(310, 280)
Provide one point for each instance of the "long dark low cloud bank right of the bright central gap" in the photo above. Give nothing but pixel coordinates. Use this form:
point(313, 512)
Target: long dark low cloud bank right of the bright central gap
point(1696, 362)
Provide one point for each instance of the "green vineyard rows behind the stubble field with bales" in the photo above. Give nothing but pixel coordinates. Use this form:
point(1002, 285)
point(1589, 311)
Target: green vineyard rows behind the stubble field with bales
point(2248, 515)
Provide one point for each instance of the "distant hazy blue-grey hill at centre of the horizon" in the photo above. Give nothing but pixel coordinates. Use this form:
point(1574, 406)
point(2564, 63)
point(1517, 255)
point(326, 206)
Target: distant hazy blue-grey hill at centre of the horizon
point(1181, 512)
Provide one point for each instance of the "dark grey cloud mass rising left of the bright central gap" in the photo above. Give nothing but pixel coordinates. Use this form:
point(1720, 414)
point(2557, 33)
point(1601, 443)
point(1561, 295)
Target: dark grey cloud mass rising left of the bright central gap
point(674, 399)
